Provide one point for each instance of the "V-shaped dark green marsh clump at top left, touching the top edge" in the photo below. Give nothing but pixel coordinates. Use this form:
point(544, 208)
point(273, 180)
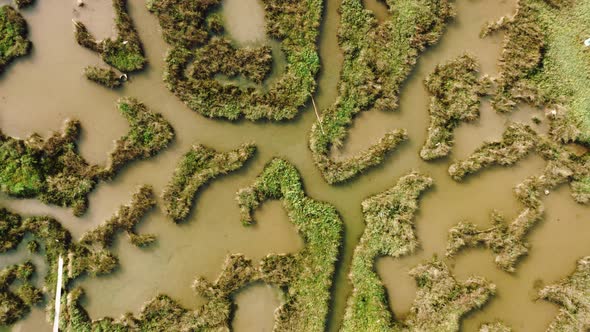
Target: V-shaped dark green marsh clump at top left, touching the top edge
point(125, 52)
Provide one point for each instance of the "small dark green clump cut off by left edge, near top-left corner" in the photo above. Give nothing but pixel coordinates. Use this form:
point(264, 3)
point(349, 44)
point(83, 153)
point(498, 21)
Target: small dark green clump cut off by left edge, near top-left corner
point(13, 36)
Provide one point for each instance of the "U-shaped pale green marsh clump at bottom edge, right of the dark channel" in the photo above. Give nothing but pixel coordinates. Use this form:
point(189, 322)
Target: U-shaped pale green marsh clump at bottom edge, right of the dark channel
point(441, 300)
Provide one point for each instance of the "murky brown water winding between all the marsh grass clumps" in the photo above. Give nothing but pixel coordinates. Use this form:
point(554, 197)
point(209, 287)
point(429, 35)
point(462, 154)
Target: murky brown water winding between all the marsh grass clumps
point(37, 93)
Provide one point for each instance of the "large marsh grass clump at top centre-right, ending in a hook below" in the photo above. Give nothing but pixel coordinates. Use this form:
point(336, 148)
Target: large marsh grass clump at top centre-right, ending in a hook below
point(377, 60)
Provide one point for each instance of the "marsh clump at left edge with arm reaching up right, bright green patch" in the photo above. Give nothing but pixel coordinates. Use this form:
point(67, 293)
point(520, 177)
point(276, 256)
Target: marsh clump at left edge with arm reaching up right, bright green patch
point(53, 171)
